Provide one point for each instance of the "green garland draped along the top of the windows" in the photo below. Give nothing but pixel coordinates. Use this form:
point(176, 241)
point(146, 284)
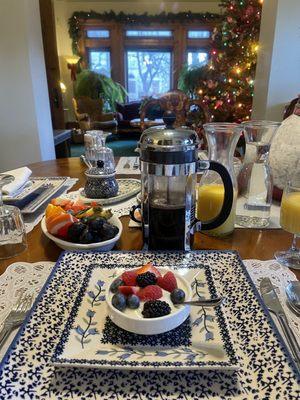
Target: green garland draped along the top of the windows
point(137, 19)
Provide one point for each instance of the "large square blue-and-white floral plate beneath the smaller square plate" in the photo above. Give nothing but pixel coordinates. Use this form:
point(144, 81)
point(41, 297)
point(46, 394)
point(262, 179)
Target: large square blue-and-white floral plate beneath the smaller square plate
point(266, 368)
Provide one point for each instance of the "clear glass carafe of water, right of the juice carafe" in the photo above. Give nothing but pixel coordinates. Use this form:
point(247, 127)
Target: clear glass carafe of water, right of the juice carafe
point(255, 178)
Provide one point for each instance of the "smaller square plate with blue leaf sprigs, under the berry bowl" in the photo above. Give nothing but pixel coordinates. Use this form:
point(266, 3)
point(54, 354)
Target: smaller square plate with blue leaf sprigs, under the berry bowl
point(91, 339)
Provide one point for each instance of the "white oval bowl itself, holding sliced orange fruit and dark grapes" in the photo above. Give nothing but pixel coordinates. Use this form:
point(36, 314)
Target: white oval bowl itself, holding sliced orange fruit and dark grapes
point(100, 246)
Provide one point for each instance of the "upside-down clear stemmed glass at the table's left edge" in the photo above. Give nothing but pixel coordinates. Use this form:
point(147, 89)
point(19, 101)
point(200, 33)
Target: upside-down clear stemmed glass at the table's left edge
point(12, 229)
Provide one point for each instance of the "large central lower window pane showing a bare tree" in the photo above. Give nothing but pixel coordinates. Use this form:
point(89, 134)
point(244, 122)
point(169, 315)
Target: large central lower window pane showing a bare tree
point(148, 73)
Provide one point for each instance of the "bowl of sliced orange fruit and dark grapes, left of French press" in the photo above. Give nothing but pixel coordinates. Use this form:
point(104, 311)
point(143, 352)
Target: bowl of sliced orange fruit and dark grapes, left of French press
point(74, 225)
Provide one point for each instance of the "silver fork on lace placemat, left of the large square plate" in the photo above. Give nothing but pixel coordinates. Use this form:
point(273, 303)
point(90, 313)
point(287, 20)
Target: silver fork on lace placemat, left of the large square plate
point(15, 317)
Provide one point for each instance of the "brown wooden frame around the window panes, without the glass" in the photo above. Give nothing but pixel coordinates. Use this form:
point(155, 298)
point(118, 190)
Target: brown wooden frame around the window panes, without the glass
point(118, 43)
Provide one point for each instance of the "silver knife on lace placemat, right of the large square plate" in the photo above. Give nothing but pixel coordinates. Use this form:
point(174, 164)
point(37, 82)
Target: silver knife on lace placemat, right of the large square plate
point(271, 300)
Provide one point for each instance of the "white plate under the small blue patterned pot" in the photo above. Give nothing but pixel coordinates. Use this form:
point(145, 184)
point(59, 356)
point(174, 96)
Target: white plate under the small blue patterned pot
point(127, 188)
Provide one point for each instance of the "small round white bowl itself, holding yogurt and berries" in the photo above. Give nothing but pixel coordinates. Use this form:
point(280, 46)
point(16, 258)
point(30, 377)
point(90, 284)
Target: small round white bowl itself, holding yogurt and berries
point(134, 321)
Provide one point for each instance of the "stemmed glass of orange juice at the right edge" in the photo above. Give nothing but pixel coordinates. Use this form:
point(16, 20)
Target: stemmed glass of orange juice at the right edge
point(290, 221)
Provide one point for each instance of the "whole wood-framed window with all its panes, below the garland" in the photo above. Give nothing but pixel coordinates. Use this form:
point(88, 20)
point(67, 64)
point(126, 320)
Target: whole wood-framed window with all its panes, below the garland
point(147, 59)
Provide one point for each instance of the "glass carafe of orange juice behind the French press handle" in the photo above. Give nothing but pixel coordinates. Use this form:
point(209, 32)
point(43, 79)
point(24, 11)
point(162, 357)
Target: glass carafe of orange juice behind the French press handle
point(222, 139)
